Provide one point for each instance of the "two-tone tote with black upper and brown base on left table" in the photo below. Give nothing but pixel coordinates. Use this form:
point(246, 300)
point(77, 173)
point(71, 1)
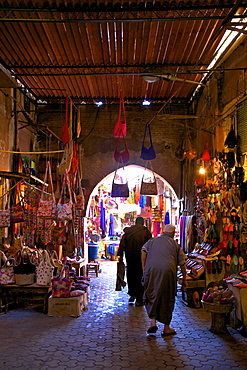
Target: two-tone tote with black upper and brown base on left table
point(25, 270)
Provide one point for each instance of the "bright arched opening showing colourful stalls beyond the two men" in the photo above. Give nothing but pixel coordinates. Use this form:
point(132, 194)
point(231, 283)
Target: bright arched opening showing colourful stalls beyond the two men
point(107, 216)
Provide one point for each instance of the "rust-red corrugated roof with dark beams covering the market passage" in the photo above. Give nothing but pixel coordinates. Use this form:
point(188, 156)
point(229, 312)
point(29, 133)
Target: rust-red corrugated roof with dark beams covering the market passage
point(93, 50)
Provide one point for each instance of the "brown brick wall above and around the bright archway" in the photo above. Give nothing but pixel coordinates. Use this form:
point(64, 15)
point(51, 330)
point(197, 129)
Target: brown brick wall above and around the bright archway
point(97, 143)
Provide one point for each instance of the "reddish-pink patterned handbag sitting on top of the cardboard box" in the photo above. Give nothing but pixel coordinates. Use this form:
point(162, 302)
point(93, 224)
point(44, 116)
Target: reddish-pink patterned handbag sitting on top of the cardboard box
point(61, 285)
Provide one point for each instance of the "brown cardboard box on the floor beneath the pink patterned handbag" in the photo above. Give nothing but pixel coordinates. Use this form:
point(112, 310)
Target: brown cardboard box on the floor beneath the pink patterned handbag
point(72, 306)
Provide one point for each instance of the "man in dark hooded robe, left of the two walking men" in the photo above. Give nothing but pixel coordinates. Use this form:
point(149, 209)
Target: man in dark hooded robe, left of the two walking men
point(131, 244)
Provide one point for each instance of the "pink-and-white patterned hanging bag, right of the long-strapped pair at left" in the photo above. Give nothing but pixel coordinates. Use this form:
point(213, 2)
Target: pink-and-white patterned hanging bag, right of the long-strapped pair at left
point(64, 210)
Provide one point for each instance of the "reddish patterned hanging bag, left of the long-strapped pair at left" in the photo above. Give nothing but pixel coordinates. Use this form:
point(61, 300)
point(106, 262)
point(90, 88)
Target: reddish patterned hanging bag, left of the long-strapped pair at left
point(47, 208)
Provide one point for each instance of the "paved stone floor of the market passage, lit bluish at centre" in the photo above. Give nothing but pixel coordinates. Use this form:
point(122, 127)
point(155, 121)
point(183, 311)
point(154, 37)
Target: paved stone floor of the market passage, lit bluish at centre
point(111, 334)
